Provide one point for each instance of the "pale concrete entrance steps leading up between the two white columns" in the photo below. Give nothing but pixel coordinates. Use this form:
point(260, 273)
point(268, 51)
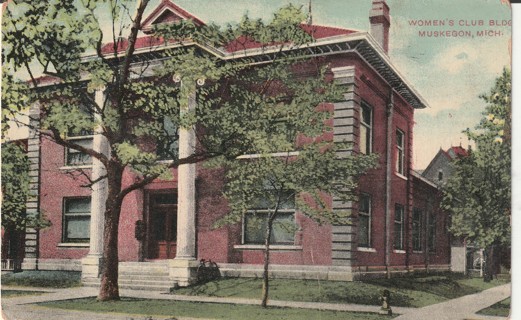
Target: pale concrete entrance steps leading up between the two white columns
point(152, 276)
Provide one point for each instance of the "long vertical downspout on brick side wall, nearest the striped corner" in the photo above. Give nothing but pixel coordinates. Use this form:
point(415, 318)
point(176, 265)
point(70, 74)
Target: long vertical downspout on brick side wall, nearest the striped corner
point(388, 176)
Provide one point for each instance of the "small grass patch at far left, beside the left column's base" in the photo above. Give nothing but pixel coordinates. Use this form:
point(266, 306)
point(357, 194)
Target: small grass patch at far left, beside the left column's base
point(47, 279)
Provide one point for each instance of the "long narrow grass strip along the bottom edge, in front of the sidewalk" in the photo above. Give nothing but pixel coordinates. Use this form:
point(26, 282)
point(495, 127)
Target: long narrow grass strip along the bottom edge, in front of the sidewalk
point(143, 307)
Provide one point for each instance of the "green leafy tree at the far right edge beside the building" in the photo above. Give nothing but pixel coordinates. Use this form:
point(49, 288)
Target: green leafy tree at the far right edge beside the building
point(478, 193)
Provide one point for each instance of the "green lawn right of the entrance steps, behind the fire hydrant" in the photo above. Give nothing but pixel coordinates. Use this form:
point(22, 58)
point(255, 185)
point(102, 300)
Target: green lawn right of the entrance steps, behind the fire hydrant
point(405, 292)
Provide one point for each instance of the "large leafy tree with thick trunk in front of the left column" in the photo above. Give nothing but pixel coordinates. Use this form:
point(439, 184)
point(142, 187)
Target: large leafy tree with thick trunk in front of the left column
point(137, 107)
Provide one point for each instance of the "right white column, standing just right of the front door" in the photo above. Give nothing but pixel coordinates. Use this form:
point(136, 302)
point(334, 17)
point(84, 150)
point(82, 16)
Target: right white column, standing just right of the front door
point(182, 268)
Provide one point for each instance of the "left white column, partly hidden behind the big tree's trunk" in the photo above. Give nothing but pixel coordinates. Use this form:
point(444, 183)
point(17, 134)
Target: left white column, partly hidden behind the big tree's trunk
point(91, 264)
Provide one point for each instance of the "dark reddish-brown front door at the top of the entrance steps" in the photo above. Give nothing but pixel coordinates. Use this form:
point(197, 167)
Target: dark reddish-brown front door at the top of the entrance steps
point(162, 222)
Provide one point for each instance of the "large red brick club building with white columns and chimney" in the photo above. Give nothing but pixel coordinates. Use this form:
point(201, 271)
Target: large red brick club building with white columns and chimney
point(398, 227)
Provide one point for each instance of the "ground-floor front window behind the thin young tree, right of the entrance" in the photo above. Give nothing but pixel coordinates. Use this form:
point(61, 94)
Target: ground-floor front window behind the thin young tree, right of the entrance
point(256, 220)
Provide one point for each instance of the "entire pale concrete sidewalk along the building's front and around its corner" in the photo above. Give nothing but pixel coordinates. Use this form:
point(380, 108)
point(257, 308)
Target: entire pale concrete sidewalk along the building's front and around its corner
point(24, 308)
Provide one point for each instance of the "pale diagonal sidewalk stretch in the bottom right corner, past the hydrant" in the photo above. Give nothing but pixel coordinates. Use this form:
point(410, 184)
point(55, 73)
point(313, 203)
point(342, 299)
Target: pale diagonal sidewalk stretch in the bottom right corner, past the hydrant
point(462, 308)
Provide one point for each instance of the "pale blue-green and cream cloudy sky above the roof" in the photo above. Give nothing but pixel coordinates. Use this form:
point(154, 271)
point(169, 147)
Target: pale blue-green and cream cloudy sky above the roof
point(449, 72)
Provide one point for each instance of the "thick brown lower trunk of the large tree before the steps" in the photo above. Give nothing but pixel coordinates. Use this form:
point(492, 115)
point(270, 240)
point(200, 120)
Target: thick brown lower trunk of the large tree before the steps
point(109, 288)
